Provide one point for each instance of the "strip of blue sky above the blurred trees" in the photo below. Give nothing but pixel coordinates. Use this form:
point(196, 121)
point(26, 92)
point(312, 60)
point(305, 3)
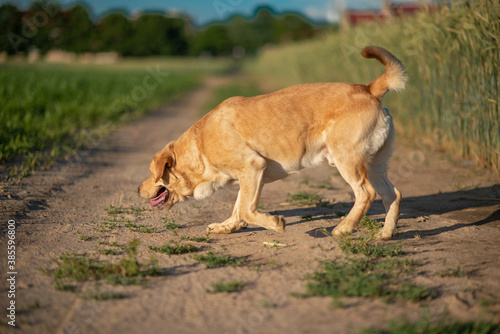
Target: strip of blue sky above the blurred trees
point(204, 11)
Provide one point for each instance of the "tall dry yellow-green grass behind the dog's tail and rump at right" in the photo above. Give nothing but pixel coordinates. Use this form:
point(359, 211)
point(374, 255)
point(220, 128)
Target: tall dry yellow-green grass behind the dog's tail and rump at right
point(452, 57)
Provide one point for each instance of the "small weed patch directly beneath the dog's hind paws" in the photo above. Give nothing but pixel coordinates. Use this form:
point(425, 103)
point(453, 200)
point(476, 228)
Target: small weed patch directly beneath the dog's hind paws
point(367, 246)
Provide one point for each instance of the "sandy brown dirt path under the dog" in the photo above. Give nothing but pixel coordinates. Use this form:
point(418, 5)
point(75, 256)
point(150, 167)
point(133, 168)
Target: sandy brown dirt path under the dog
point(450, 217)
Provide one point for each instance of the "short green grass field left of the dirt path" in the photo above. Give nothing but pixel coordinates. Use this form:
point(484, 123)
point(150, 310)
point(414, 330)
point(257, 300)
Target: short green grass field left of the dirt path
point(51, 111)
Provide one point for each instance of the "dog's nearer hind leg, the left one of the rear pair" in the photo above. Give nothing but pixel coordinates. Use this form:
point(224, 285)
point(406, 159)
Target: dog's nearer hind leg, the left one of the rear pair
point(354, 171)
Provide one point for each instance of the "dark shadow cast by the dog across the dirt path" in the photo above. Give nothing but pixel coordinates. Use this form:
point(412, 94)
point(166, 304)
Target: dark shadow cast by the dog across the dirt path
point(481, 207)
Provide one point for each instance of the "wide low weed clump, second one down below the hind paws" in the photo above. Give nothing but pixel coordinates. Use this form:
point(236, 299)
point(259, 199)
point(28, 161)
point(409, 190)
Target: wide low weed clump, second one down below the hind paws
point(362, 278)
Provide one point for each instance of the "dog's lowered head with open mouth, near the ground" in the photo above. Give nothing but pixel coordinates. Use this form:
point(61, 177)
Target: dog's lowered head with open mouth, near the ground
point(165, 186)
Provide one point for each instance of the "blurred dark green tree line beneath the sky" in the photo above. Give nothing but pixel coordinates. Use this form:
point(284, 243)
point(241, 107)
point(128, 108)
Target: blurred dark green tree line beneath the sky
point(45, 26)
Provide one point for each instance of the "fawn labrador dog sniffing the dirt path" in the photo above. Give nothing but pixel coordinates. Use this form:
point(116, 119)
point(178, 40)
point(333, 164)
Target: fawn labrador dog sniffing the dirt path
point(261, 139)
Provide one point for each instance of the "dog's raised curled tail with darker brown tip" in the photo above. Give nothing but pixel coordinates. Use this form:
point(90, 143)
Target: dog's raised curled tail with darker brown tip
point(394, 77)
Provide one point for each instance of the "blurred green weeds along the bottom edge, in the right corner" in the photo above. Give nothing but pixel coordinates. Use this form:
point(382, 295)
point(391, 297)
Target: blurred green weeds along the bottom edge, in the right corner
point(425, 326)
